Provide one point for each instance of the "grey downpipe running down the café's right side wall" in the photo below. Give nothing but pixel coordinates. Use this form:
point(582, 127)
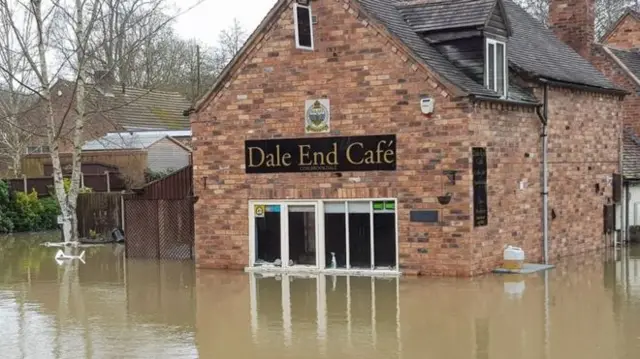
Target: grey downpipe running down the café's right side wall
point(543, 115)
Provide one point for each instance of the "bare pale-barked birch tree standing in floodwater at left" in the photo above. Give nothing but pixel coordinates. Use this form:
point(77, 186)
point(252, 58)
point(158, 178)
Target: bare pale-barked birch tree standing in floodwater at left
point(70, 30)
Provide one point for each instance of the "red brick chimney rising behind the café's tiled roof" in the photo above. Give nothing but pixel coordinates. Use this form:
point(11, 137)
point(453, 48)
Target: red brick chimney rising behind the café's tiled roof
point(573, 22)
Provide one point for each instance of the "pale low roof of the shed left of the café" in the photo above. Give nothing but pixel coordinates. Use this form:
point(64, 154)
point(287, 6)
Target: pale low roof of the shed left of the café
point(130, 140)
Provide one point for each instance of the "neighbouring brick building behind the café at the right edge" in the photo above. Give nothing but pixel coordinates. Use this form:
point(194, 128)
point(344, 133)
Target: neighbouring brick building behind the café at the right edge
point(617, 55)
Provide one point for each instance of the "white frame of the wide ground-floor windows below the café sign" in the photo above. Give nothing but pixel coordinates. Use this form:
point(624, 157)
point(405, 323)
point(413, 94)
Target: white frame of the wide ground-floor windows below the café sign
point(320, 236)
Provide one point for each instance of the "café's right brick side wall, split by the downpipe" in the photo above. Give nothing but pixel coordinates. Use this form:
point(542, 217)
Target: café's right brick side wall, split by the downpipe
point(583, 142)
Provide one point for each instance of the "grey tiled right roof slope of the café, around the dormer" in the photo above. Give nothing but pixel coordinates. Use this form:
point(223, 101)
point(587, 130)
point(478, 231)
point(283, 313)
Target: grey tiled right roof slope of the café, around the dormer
point(533, 49)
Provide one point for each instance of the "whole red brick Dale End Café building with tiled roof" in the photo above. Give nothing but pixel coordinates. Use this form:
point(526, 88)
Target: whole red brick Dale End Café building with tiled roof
point(395, 136)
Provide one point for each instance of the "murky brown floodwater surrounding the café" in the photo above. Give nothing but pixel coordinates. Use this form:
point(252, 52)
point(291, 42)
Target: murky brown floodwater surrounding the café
point(588, 307)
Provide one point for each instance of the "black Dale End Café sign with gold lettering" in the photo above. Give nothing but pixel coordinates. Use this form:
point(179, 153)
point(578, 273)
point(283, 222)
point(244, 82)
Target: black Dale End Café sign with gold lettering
point(321, 154)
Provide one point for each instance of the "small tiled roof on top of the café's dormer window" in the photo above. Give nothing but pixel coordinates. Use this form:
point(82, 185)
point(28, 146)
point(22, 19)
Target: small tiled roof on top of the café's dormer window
point(441, 14)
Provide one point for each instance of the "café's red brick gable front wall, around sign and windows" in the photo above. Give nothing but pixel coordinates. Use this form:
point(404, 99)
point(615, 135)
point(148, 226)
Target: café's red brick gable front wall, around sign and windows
point(372, 91)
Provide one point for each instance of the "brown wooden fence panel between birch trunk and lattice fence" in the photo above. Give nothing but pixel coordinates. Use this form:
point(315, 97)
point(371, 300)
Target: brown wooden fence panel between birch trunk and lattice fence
point(101, 212)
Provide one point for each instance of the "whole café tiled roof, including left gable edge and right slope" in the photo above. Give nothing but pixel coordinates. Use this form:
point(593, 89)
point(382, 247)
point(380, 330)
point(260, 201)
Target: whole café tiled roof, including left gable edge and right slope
point(534, 52)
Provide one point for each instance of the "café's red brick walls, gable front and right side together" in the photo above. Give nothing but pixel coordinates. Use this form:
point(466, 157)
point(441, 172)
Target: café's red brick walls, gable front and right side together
point(375, 89)
